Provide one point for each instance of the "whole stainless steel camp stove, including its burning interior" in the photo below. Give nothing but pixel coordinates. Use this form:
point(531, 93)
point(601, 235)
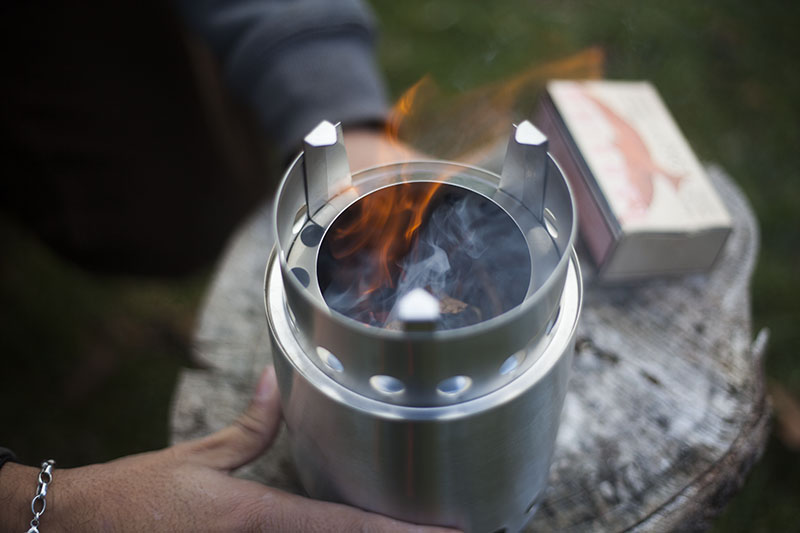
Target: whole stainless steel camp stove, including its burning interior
point(423, 352)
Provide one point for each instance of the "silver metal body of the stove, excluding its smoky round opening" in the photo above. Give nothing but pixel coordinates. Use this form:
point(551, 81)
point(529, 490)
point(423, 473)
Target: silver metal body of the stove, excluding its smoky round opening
point(445, 427)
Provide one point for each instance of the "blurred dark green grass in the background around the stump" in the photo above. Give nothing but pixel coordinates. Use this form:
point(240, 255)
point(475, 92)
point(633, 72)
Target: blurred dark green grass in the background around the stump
point(89, 362)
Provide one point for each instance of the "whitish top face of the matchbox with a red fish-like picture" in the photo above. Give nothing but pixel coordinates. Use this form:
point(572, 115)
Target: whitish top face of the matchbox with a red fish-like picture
point(638, 156)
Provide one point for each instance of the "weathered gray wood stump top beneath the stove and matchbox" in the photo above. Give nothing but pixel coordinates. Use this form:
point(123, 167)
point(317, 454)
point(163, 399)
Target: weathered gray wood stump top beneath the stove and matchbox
point(666, 410)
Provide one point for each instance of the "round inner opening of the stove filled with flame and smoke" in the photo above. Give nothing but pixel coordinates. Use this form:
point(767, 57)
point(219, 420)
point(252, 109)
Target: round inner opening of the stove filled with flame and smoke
point(456, 244)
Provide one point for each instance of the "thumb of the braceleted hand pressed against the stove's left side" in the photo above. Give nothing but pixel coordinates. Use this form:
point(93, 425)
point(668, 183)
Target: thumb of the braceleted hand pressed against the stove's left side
point(249, 435)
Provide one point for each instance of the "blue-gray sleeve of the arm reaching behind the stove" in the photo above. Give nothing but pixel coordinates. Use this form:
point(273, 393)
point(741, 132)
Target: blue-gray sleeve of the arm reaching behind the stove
point(296, 61)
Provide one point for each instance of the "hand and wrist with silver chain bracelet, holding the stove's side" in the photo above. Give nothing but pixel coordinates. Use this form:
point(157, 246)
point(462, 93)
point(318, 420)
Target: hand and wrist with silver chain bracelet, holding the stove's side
point(188, 487)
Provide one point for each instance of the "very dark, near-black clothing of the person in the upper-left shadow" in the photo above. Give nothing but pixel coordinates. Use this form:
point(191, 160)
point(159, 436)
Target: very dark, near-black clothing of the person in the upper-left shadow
point(119, 146)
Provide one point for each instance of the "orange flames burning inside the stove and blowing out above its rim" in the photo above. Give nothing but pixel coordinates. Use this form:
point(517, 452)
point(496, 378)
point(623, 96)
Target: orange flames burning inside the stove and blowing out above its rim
point(387, 221)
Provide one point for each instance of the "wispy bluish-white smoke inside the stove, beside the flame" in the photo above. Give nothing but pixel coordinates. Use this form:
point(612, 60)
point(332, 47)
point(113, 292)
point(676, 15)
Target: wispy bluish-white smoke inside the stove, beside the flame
point(468, 250)
